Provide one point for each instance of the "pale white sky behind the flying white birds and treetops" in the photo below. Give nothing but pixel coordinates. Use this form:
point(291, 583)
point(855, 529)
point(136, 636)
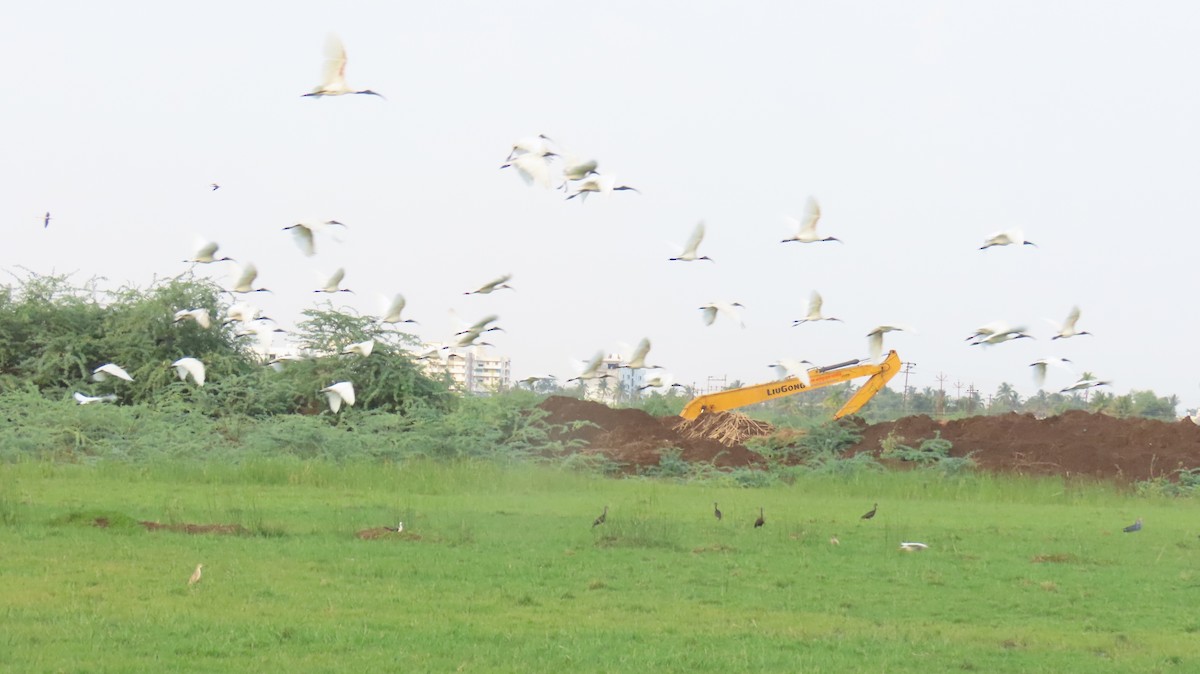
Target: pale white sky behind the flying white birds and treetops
point(921, 128)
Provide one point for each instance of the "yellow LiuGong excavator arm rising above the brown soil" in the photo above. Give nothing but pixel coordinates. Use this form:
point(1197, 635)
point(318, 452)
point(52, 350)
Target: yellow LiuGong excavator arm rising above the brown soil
point(880, 375)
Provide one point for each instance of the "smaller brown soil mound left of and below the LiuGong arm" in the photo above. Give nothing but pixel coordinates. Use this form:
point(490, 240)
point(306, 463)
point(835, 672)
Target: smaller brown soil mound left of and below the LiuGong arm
point(634, 438)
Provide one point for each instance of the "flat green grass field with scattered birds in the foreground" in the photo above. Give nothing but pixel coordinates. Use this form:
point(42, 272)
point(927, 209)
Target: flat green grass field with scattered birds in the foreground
point(501, 570)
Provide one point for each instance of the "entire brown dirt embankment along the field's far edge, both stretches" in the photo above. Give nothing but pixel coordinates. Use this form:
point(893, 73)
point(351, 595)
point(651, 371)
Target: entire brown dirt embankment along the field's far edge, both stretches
point(1073, 444)
